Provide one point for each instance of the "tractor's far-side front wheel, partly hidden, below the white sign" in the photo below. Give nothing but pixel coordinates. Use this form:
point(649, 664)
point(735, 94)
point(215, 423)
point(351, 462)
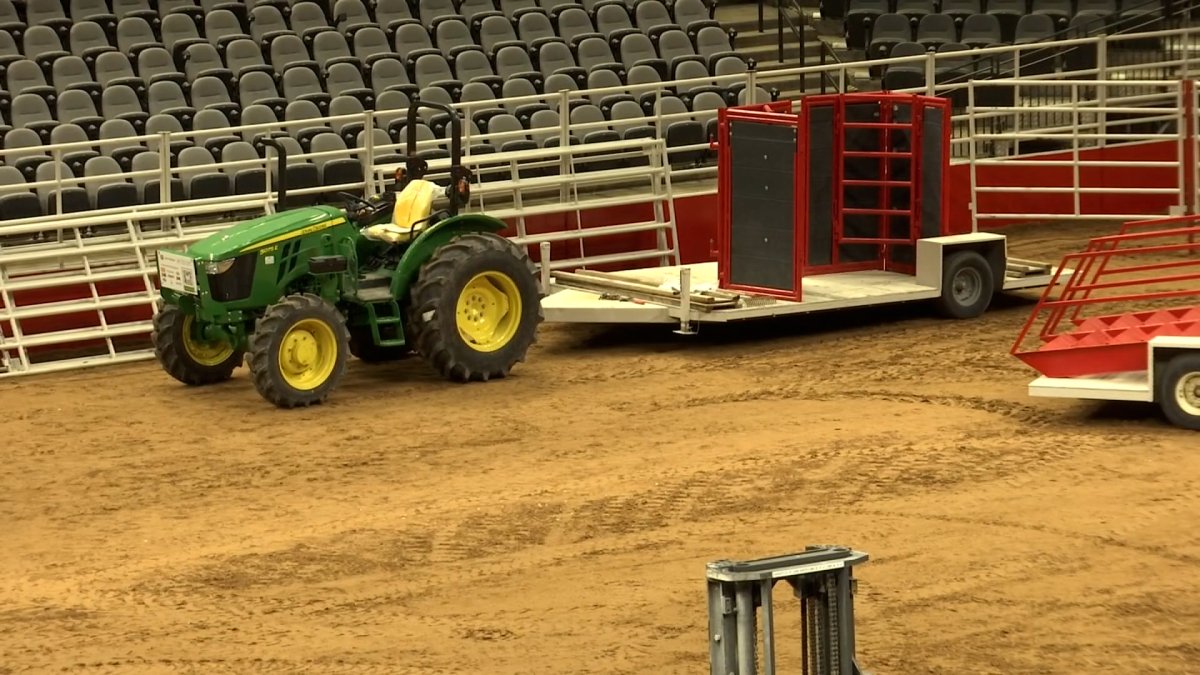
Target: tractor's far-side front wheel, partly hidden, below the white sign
point(181, 359)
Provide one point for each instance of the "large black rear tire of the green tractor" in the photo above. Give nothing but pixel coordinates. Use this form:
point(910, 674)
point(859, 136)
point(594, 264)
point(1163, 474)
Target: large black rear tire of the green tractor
point(434, 307)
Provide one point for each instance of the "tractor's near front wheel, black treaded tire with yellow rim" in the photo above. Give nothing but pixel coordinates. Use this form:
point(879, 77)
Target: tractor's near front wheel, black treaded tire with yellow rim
point(278, 355)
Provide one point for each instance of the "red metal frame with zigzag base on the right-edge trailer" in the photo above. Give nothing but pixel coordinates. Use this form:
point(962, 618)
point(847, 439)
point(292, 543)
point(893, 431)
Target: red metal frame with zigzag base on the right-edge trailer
point(1127, 289)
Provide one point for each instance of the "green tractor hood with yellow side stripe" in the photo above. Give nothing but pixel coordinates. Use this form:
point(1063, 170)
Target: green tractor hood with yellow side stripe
point(266, 231)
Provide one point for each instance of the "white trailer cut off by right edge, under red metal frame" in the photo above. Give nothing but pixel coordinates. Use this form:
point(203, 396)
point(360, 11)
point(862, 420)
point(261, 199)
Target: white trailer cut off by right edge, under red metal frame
point(1173, 381)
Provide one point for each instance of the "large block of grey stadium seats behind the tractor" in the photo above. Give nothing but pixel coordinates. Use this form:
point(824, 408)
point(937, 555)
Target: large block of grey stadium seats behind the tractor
point(99, 71)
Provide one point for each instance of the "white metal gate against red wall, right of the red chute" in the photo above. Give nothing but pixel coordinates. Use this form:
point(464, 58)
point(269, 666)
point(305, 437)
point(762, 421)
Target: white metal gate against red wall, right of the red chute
point(1087, 124)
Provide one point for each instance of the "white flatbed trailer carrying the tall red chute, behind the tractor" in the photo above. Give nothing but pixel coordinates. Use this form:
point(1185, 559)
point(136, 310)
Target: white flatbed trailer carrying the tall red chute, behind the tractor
point(689, 295)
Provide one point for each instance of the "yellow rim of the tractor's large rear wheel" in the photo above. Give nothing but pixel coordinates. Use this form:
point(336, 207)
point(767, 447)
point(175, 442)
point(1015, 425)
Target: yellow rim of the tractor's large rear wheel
point(489, 312)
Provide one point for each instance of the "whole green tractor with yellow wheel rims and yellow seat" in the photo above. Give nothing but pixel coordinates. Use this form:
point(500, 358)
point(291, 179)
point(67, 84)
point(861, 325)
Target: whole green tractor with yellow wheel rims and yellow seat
point(295, 295)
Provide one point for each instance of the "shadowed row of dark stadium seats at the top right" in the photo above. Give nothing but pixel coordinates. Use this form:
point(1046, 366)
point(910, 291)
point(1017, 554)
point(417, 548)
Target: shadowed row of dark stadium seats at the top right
point(941, 16)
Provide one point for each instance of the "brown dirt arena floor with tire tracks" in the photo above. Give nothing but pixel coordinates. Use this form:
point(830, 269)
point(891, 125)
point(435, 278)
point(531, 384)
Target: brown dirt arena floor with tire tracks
point(560, 522)
